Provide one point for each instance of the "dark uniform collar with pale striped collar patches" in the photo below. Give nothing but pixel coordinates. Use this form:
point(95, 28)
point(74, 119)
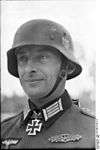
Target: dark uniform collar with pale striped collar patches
point(50, 111)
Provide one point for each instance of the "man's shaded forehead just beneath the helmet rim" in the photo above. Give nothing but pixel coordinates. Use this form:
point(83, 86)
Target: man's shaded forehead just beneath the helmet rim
point(36, 49)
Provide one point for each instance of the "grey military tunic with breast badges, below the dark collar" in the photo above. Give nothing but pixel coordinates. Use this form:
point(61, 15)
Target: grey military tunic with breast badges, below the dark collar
point(68, 128)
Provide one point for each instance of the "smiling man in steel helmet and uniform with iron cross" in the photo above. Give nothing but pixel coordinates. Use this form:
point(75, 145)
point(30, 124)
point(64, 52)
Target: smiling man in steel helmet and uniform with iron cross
point(42, 57)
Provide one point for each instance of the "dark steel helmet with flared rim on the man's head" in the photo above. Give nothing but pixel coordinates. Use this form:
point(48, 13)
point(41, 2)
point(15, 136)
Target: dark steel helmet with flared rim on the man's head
point(43, 32)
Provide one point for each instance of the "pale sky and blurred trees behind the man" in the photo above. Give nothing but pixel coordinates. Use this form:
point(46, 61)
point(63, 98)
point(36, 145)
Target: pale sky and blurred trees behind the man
point(79, 18)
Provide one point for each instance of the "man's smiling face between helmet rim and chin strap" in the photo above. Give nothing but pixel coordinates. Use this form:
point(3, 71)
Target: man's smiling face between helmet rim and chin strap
point(38, 69)
